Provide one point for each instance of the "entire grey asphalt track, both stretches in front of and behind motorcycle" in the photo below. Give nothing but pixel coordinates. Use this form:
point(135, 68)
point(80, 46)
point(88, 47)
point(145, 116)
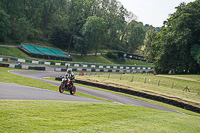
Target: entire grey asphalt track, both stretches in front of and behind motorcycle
point(18, 92)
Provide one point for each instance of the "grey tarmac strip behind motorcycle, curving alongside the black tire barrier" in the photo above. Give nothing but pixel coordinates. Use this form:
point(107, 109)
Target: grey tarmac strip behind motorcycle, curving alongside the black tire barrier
point(105, 95)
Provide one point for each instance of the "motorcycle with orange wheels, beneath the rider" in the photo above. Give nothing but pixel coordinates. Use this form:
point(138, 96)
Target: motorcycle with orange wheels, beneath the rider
point(67, 85)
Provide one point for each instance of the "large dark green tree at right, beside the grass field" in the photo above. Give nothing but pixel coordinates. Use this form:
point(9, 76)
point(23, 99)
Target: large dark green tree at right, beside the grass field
point(173, 45)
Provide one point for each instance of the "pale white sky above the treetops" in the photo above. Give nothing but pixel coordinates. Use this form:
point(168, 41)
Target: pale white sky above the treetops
point(152, 12)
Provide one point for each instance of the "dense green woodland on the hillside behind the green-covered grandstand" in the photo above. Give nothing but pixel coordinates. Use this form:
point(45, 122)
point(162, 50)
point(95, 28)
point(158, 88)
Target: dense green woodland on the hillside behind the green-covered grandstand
point(81, 25)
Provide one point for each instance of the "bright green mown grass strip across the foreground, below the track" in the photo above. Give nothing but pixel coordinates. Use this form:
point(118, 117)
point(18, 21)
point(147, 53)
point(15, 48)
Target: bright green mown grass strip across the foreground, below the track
point(73, 117)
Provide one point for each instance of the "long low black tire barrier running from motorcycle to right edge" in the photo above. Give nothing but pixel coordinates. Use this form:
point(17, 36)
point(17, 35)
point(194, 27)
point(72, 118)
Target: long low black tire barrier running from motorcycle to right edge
point(144, 95)
